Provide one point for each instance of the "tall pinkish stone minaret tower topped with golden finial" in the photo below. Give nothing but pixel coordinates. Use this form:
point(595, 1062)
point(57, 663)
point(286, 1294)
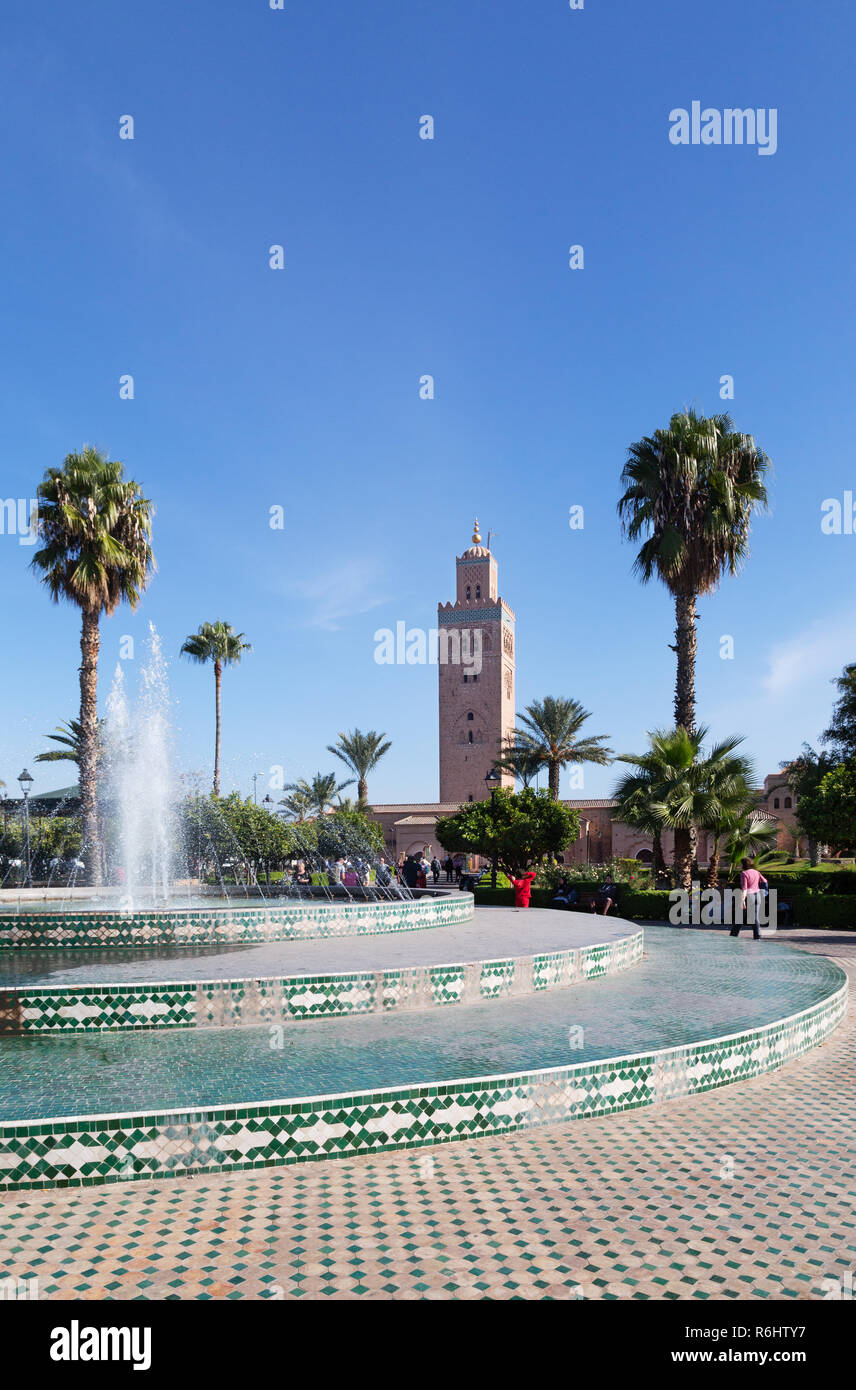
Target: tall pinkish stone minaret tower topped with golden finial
point(476, 678)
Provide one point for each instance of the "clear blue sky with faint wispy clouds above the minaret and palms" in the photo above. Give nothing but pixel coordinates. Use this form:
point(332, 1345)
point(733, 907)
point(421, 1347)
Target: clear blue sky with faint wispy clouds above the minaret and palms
point(404, 258)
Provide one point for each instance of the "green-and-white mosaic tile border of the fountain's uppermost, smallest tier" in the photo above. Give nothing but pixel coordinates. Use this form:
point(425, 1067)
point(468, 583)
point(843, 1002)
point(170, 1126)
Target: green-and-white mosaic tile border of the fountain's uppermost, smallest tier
point(209, 926)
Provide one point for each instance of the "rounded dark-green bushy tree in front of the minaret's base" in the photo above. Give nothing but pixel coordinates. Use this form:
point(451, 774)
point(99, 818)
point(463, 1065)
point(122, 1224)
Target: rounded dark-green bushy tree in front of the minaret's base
point(519, 829)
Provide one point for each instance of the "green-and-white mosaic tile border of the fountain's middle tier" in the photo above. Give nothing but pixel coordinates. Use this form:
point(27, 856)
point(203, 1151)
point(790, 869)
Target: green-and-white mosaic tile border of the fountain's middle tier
point(95, 1008)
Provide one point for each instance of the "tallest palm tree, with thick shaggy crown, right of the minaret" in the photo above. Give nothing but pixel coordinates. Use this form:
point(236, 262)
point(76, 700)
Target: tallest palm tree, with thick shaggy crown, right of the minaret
point(690, 493)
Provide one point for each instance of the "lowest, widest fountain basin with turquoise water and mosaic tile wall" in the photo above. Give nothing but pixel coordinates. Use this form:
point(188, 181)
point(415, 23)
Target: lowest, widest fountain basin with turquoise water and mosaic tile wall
point(702, 1011)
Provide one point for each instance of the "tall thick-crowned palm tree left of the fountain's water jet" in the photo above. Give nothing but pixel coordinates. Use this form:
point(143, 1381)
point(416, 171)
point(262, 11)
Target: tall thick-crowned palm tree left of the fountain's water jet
point(95, 529)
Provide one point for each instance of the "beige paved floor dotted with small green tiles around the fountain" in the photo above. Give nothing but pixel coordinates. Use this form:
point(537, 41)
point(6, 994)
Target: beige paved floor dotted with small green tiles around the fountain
point(743, 1193)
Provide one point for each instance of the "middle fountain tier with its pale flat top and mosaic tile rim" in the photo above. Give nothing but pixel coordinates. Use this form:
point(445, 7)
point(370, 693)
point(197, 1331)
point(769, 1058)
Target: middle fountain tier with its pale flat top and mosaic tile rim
point(504, 954)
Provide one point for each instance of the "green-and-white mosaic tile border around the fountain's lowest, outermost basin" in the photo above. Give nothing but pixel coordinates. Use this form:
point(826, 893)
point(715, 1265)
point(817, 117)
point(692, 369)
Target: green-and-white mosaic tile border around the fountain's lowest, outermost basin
point(90, 1150)
